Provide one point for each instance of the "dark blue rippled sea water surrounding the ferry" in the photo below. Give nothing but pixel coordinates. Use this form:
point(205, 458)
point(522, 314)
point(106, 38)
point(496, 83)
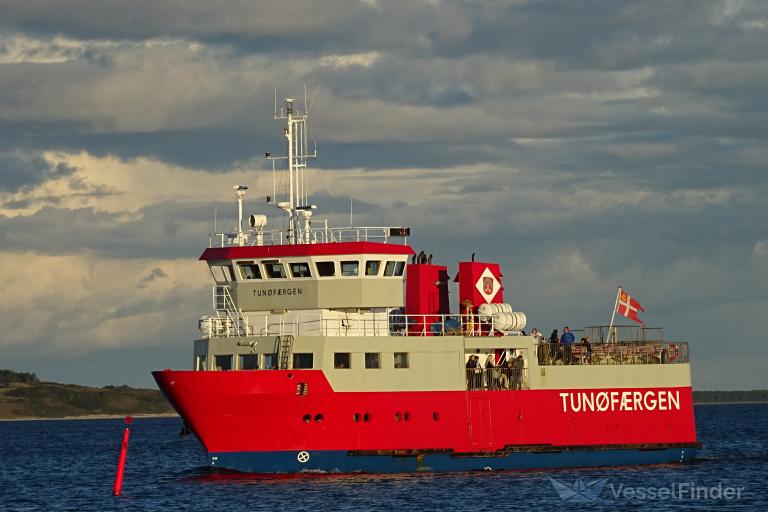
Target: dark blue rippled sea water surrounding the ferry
point(70, 465)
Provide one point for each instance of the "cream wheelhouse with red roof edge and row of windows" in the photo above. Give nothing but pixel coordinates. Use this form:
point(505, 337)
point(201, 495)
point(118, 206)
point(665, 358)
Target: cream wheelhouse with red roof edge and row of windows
point(260, 289)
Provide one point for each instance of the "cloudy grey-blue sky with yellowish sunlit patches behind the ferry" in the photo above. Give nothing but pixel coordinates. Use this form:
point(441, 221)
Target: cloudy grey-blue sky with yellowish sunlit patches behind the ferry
point(582, 145)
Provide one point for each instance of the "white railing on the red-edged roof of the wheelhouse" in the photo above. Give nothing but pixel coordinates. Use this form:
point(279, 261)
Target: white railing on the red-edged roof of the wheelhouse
point(317, 235)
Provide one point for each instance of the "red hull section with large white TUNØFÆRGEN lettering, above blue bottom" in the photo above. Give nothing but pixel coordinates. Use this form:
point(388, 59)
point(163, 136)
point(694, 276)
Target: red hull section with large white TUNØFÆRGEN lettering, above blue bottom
point(261, 412)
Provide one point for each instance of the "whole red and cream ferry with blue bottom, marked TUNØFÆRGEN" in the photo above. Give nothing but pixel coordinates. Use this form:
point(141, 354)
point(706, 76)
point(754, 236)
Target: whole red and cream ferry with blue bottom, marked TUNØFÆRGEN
point(340, 350)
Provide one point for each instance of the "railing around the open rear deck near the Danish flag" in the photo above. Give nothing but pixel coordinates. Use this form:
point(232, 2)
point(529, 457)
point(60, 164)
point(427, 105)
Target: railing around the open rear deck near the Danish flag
point(549, 354)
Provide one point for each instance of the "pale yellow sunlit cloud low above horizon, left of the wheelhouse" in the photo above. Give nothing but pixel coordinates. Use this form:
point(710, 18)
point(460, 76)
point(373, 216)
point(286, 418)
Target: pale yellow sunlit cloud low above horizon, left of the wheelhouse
point(76, 303)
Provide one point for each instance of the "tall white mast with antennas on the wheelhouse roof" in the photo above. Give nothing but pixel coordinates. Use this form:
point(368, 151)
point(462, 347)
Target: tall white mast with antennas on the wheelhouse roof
point(297, 154)
